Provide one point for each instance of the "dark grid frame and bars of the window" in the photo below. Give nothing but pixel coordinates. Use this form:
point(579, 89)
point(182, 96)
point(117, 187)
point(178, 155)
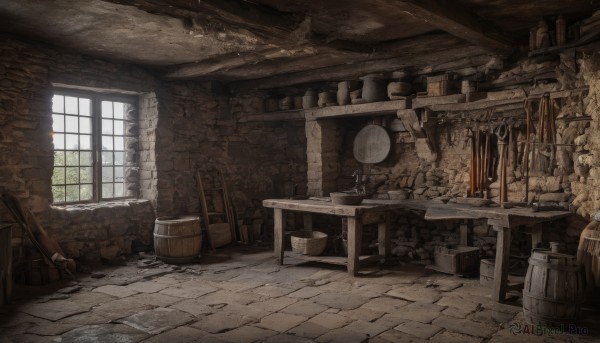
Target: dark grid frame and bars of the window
point(96, 99)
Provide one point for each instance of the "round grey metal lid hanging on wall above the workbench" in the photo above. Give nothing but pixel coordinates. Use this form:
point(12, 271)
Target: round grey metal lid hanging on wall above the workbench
point(372, 144)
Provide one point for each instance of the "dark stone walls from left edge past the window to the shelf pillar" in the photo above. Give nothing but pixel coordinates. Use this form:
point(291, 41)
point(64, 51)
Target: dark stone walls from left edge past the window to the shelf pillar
point(184, 127)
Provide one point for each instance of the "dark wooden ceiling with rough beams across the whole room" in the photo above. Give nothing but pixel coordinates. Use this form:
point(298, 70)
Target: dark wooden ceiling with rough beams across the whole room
point(266, 43)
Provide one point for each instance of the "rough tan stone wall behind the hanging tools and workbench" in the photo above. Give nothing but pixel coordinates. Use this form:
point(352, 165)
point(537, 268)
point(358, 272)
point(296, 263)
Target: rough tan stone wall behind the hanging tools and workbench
point(573, 178)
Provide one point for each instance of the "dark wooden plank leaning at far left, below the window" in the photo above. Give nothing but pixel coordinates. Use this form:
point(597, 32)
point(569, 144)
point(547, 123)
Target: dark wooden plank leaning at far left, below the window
point(47, 247)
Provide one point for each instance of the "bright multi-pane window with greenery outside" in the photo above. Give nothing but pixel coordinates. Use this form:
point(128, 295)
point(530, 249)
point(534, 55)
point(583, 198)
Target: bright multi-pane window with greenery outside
point(89, 128)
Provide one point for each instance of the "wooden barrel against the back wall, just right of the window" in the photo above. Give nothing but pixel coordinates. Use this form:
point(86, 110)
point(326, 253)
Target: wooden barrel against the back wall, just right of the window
point(177, 239)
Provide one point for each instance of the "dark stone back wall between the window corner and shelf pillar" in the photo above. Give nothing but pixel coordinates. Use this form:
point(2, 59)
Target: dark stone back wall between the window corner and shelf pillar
point(202, 130)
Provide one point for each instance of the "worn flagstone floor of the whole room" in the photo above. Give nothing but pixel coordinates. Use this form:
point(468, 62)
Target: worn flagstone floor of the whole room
point(240, 294)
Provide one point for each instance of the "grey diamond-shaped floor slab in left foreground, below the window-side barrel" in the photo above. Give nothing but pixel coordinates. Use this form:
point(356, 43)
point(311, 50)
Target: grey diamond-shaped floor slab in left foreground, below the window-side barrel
point(157, 320)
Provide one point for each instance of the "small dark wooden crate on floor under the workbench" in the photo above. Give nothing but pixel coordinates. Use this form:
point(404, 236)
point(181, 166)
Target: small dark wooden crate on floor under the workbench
point(458, 260)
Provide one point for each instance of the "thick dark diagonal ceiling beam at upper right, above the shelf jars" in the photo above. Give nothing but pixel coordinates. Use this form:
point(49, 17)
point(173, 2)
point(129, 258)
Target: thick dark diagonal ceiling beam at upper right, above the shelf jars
point(459, 22)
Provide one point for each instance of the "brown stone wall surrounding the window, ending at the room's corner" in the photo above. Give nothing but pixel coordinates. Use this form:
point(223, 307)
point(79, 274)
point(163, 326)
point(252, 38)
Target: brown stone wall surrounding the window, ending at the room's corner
point(27, 75)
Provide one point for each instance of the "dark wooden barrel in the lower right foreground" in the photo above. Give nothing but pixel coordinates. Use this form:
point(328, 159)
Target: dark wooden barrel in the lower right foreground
point(554, 288)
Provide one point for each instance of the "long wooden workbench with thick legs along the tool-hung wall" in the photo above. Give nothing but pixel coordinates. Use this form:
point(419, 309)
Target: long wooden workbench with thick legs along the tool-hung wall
point(379, 211)
